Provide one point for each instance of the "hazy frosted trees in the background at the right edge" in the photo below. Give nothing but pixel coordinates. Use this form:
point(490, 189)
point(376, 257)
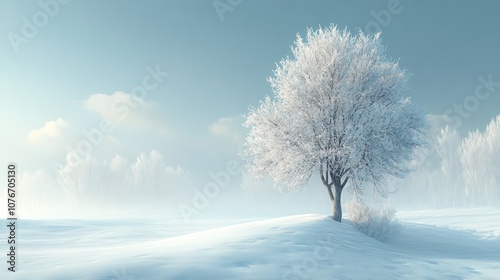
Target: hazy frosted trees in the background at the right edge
point(456, 171)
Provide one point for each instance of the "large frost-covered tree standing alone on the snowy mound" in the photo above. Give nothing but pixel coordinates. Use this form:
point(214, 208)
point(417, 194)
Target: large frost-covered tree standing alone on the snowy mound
point(338, 111)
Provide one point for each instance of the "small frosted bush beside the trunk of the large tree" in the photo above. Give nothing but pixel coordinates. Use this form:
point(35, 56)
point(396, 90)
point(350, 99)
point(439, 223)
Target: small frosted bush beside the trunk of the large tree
point(378, 223)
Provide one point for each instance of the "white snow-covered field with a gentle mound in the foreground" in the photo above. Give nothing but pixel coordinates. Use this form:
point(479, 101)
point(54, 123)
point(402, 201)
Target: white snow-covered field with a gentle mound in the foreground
point(434, 244)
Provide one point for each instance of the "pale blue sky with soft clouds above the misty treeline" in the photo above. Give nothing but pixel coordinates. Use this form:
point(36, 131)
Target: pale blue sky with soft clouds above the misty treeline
point(217, 68)
